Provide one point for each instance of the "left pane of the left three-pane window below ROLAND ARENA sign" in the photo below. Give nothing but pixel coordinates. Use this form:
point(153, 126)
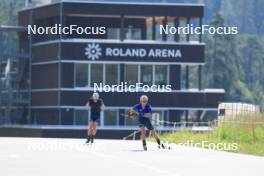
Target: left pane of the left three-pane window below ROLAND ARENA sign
point(81, 75)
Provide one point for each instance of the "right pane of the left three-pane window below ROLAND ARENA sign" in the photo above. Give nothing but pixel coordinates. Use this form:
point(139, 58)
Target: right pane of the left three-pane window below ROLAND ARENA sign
point(111, 74)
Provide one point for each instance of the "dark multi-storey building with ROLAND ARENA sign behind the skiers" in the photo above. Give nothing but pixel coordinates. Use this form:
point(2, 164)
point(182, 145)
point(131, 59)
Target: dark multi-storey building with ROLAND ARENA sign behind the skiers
point(64, 67)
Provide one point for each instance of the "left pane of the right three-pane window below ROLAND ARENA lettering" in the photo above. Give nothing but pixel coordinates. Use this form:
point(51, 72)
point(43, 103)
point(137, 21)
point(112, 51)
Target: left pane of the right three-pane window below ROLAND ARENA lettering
point(131, 74)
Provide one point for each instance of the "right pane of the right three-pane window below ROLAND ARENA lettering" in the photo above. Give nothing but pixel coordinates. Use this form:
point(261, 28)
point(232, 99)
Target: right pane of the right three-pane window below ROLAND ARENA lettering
point(161, 74)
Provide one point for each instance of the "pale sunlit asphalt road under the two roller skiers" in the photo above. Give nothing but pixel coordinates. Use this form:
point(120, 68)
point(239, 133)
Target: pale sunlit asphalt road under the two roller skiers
point(69, 157)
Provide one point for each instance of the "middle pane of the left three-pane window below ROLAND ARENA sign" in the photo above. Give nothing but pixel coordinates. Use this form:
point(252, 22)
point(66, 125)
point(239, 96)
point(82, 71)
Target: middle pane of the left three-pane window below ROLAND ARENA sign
point(96, 74)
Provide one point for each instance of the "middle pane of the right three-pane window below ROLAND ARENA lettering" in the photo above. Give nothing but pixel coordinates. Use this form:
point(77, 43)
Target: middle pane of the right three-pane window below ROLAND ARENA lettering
point(146, 74)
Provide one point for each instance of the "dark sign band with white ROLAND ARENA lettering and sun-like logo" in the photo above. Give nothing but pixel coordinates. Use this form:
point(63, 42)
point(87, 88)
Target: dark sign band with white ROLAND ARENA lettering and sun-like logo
point(134, 52)
